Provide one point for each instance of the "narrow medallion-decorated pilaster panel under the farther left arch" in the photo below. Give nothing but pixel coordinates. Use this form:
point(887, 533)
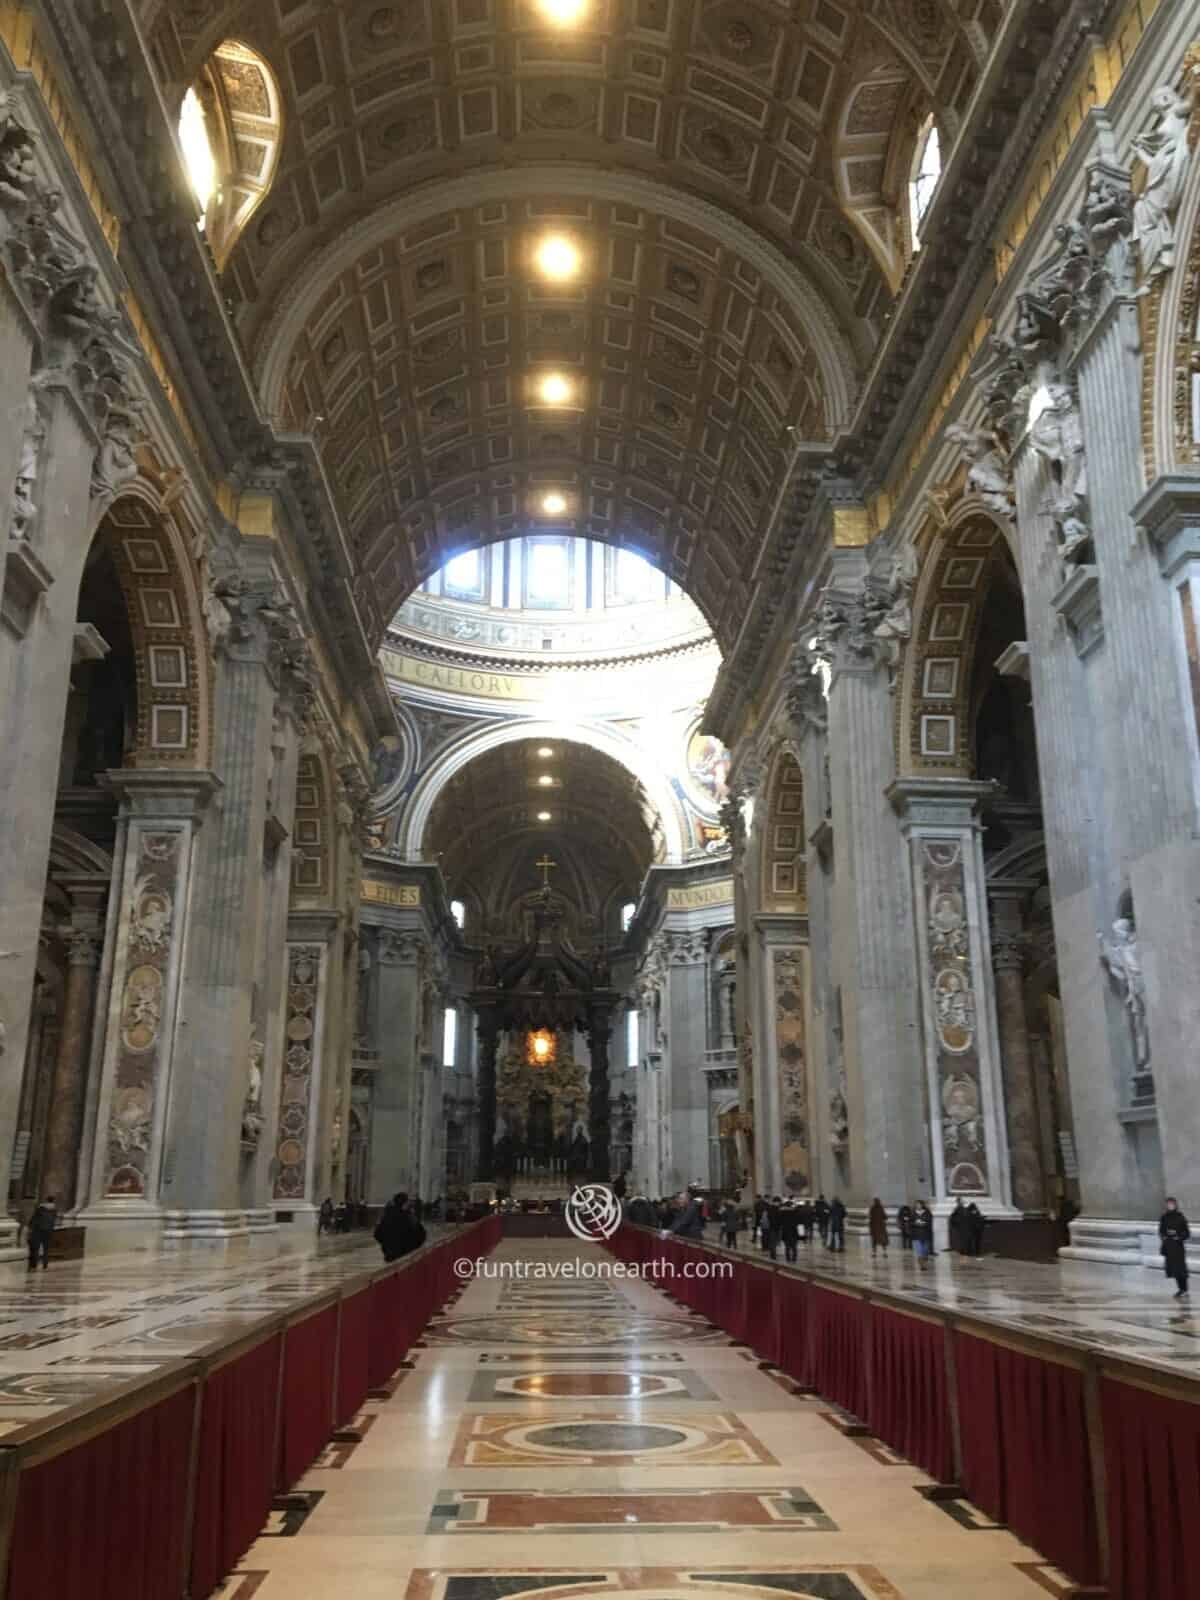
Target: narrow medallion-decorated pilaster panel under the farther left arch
point(295, 1151)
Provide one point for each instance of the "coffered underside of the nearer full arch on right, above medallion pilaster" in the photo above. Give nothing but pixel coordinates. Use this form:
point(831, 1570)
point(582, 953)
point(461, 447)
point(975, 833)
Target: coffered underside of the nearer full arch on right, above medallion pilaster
point(935, 694)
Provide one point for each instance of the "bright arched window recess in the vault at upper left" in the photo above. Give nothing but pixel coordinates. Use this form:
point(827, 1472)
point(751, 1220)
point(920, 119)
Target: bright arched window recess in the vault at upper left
point(231, 134)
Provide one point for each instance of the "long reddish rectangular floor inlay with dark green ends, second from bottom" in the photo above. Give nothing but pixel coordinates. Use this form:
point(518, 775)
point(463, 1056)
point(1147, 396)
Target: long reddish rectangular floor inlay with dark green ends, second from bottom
point(631, 1511)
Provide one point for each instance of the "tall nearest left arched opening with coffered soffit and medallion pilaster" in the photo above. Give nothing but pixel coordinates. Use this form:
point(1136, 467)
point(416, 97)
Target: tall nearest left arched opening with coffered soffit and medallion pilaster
point(137, 726)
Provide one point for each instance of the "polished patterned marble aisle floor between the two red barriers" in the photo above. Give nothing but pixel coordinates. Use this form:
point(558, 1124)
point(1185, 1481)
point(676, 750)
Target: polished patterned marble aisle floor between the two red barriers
point(630, 1454)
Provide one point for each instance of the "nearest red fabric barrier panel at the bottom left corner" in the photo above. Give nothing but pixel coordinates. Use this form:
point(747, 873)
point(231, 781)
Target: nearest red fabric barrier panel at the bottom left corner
point(106, 1519)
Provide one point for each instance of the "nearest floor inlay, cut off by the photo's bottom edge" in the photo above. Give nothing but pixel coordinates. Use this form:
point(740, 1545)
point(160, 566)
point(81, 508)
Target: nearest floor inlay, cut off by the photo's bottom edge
point(655, 1583)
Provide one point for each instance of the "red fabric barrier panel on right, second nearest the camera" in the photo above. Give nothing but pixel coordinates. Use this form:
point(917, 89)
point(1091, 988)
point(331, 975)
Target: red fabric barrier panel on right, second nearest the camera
point(1026, 1460)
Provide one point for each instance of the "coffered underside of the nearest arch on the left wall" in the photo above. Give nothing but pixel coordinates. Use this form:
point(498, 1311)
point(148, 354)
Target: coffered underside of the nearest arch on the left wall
point(172, 660)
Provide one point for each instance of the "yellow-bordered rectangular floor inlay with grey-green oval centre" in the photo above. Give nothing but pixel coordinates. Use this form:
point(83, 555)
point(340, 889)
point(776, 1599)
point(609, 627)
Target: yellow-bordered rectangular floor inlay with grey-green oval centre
point(607, 1441)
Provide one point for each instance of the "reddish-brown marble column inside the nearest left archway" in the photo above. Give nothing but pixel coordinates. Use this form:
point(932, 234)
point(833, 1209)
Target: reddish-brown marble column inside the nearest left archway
point(74, 1049)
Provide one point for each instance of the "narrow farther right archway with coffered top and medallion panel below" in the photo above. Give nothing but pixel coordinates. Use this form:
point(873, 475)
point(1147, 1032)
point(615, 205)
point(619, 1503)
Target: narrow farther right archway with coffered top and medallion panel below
point(785, 1098)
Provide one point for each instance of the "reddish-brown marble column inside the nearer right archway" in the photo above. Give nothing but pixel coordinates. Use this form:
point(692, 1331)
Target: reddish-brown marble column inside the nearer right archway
point(1023, 1118)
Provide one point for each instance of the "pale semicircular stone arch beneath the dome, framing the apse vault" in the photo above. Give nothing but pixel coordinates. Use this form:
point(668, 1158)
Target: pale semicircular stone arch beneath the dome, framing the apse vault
point(607, 742)
